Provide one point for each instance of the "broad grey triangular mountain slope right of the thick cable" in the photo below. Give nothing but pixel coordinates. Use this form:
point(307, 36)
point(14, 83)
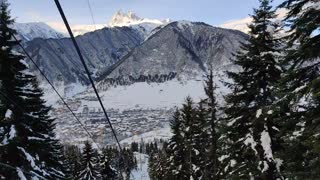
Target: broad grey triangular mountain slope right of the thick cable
point(182, 48)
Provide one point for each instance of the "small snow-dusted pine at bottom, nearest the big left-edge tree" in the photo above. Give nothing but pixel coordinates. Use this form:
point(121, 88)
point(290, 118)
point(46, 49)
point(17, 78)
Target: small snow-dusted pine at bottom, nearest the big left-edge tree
point(89, 163)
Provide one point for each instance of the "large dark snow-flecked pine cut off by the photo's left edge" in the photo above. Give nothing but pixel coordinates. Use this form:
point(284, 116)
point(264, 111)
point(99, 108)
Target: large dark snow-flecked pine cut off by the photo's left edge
point(27, 140)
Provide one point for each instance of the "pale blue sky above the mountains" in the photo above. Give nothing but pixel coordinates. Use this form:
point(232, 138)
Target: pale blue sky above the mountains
point(210, 11)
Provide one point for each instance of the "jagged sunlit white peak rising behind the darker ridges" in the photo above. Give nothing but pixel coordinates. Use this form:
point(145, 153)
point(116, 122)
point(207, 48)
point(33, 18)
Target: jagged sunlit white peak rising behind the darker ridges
point(130, 18)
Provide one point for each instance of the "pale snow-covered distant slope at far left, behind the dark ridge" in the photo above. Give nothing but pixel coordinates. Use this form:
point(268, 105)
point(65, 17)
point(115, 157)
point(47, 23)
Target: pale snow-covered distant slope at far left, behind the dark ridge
point(30, 31)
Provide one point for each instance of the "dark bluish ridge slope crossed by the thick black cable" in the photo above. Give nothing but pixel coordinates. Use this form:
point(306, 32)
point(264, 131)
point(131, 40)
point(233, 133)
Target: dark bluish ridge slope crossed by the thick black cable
point(100, 49)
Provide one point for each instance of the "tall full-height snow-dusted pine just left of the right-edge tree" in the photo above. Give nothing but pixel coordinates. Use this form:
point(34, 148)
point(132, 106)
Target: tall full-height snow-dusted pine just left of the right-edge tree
point(251, 130)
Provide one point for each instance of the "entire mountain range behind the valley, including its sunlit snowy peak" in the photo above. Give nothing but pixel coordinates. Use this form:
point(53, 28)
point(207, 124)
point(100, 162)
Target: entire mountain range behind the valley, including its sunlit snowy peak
point(133, 47)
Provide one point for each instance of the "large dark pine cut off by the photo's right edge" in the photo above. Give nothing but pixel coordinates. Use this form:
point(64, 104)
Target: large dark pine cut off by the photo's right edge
point(300, 89)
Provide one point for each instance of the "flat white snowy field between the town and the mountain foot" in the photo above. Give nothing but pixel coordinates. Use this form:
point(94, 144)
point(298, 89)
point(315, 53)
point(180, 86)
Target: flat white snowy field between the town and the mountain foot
point(148, 96)
